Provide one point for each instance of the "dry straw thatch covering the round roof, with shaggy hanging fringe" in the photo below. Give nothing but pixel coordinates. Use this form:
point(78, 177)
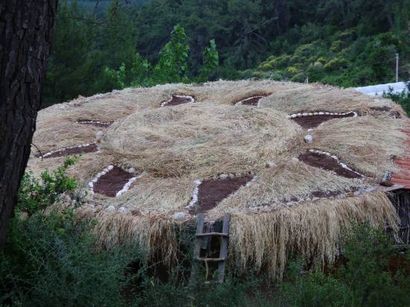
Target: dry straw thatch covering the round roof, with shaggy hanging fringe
point(288, 207)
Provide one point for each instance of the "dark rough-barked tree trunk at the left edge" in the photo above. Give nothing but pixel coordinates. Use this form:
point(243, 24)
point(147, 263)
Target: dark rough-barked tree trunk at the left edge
point(25, 37)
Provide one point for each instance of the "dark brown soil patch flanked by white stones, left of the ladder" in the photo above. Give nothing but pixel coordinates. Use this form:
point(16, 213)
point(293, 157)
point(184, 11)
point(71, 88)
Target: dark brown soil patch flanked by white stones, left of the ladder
point(112, 182)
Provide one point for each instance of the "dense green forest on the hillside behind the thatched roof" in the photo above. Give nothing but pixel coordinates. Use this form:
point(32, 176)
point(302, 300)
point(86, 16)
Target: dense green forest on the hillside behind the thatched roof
point(102, 45)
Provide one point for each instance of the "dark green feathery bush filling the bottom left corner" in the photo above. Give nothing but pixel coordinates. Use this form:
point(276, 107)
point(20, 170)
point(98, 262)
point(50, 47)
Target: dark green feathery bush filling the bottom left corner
point(52, 261)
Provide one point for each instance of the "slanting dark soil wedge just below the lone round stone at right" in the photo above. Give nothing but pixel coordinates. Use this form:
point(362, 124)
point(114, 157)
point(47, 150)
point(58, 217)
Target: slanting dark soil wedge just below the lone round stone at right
point(323, 161)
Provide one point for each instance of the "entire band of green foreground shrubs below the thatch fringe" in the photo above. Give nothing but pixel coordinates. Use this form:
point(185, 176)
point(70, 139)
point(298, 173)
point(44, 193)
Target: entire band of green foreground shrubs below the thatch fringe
point(52, 260)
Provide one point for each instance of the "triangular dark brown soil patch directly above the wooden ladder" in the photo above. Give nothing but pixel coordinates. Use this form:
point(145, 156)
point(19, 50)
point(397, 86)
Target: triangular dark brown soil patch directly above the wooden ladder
point(212, 191)
